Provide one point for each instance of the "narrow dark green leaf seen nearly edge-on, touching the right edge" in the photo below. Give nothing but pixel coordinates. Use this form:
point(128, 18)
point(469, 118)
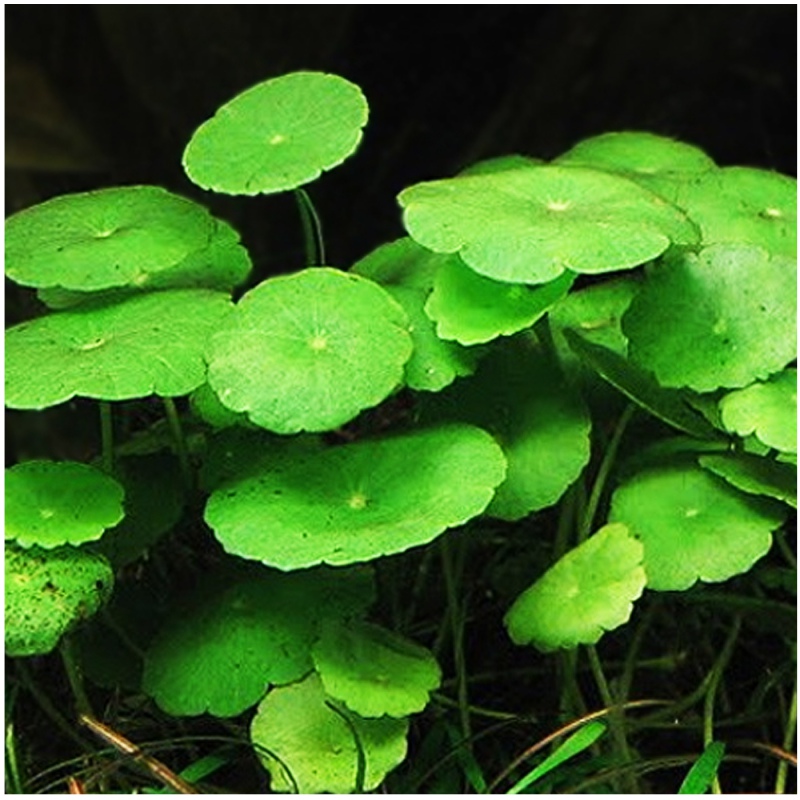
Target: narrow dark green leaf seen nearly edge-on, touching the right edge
point(755, 474)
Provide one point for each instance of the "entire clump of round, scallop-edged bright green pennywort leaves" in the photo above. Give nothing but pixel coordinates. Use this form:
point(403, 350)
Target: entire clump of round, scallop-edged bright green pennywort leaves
point(483, 367)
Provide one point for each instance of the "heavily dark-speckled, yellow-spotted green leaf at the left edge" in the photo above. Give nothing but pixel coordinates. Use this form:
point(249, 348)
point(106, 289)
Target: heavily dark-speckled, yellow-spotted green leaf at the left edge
point(49, 592)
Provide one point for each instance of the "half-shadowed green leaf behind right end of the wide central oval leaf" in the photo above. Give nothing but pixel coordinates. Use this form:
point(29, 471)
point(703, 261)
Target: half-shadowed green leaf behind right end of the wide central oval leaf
point(540, 422)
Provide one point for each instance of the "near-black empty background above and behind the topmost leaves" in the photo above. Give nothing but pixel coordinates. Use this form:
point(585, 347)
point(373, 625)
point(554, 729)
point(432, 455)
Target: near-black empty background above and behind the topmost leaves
point(98, 95)
